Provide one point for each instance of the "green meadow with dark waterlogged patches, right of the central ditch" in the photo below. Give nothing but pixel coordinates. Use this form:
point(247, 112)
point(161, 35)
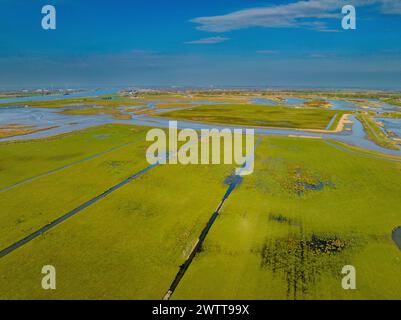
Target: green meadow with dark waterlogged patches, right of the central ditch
point(265, 243)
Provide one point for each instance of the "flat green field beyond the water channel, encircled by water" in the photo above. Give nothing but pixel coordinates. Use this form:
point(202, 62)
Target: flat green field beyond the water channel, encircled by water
point(258, 115)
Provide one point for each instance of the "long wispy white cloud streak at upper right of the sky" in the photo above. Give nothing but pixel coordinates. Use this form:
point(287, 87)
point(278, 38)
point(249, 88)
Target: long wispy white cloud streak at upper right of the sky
point(307, 13)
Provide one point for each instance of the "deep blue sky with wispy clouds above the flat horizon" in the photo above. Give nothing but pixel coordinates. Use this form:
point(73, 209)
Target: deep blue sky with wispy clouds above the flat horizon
point(201, 43)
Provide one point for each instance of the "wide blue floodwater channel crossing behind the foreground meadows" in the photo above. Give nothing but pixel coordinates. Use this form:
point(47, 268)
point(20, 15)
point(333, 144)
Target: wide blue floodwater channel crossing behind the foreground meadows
point(62, 123)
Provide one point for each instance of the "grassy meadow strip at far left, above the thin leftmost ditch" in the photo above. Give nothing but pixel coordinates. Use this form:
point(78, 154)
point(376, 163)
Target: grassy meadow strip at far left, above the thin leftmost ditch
point(22, 160)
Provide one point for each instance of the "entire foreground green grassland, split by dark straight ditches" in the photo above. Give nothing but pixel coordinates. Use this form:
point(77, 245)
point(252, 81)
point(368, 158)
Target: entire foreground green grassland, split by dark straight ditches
point(285, 233)
